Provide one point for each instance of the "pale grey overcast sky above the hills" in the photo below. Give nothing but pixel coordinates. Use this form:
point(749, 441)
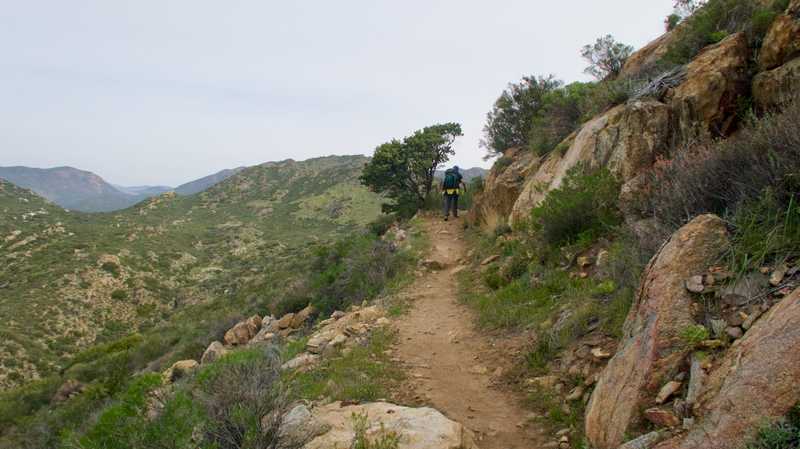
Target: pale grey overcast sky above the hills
point(163, 92)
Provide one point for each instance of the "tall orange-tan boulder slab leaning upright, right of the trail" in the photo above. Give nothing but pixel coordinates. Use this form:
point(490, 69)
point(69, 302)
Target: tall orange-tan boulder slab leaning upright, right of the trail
point(651, 348)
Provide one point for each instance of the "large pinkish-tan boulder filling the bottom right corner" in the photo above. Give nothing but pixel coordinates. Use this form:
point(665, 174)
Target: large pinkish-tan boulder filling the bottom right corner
point(758, 380)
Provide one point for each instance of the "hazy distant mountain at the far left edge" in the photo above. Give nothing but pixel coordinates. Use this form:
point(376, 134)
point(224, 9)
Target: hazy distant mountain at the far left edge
point(70, 188)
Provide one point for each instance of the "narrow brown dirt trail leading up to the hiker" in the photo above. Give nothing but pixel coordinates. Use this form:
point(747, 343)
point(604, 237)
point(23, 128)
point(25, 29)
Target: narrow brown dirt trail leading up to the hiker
point(451, 363)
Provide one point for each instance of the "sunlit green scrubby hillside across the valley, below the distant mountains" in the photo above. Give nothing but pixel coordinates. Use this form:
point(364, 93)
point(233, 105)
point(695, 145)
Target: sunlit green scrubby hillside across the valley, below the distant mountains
point(97, 277)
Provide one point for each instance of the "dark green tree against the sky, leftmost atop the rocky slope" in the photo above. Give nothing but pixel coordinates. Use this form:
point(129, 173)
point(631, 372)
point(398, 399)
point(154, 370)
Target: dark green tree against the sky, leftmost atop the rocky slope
point(508, 124)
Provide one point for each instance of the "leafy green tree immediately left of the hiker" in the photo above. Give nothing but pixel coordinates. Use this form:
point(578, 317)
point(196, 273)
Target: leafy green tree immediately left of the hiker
point(404, 170)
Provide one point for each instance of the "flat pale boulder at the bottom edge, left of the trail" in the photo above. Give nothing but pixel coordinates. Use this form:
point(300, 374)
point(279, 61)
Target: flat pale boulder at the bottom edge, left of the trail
point(418, 428)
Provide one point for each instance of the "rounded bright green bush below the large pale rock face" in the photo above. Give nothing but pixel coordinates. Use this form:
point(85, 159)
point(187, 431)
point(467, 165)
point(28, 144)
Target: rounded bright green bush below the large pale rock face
point(583, 208)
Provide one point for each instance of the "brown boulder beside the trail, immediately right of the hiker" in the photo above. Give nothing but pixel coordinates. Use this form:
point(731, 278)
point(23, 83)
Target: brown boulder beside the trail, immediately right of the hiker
point(501, 188)
